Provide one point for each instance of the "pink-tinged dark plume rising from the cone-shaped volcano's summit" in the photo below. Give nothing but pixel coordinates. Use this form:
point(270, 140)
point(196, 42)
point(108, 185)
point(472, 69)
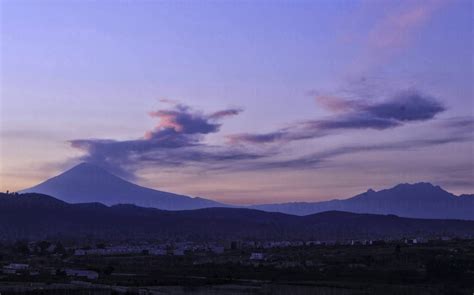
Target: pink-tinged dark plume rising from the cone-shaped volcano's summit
point(176, 139)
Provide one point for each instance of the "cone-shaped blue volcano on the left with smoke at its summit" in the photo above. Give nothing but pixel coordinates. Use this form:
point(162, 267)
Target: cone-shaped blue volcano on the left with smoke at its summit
point(89, 183)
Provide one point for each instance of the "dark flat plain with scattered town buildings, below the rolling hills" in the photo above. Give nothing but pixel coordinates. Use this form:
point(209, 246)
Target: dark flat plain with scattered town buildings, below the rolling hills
point(397, 267)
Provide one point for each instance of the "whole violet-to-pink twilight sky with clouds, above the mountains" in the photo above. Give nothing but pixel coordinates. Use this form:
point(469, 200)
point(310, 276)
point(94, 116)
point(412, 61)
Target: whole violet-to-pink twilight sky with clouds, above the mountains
point(242, 102)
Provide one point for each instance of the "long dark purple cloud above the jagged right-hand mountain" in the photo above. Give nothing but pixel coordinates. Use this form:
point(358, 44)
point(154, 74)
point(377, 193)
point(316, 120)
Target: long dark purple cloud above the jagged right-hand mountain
point(404, 107)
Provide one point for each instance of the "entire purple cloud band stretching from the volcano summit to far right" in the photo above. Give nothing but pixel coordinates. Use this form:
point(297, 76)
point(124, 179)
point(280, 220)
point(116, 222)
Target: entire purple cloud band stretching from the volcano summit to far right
point(178, 138)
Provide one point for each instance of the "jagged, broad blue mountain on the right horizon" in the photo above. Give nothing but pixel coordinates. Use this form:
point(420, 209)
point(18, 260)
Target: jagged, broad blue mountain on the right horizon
point(419, 200)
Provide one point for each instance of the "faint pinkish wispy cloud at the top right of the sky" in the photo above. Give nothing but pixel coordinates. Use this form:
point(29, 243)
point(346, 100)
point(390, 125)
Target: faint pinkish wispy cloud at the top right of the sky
point(395, 29)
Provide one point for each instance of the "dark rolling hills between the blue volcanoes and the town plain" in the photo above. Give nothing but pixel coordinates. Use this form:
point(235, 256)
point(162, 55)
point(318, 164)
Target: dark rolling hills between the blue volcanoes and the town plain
point(35, 216)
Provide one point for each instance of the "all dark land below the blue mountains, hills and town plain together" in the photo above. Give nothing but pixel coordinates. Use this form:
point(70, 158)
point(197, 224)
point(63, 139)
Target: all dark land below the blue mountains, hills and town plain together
point(48, 246)
